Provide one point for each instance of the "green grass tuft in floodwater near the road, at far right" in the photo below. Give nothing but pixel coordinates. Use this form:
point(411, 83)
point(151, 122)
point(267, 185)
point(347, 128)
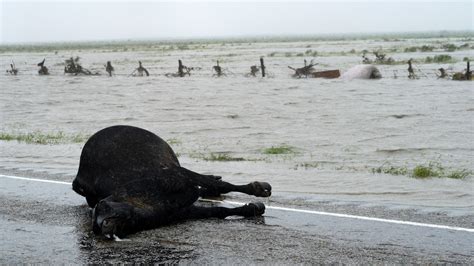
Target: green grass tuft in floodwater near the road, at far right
point(432, 169)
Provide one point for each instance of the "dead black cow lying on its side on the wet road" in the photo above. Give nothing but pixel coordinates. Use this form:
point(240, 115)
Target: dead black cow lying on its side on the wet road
point(133, 181)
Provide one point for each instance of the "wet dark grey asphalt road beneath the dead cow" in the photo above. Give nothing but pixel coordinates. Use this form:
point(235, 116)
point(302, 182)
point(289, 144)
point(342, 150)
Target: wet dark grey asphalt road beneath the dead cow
point(49, 223)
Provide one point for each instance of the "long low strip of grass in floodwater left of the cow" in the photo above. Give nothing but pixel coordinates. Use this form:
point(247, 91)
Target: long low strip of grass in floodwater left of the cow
point(38, 137)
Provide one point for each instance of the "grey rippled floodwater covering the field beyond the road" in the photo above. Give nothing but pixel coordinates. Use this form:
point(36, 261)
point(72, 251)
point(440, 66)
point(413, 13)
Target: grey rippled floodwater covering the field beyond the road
point(339, 130)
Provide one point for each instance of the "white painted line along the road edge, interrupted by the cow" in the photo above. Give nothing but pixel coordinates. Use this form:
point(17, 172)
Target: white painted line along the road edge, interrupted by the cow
point(340, 215)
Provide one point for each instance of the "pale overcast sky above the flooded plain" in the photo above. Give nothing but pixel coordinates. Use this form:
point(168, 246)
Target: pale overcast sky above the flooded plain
point(46, 21)
